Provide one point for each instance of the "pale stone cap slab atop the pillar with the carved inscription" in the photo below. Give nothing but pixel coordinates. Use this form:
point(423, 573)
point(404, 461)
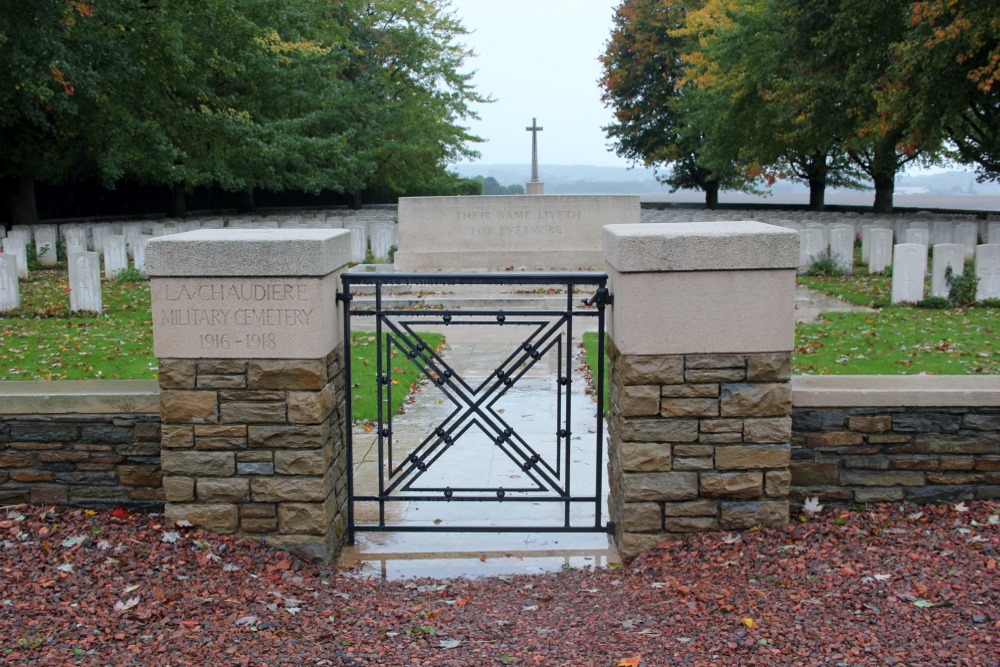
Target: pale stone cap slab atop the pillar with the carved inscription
point(249, 252)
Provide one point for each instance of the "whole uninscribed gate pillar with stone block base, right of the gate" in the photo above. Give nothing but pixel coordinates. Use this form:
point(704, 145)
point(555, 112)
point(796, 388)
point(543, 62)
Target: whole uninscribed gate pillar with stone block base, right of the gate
point(700, 340)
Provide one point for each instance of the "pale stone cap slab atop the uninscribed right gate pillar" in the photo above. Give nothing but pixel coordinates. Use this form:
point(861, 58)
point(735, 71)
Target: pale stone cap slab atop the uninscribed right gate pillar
point(700, 246)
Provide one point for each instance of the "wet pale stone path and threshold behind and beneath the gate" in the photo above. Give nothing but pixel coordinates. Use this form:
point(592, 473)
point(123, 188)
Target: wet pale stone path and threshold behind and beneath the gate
point(475, 353)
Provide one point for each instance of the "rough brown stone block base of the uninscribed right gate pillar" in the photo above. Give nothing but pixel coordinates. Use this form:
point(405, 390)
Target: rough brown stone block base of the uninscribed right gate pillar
point(697, 442)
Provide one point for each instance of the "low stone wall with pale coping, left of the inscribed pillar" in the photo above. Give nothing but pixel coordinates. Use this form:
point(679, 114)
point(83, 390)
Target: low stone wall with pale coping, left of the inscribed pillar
point(89, 444)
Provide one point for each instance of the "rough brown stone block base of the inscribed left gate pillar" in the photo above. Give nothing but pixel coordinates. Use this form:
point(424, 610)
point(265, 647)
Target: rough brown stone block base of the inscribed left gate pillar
point(256, 448)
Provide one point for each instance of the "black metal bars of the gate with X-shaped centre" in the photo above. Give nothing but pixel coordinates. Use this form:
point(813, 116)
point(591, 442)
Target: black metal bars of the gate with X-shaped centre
point(470, 401)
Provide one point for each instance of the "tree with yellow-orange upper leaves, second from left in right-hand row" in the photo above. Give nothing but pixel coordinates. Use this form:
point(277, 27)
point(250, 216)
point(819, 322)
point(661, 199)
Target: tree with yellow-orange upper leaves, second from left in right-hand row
point(761, 95)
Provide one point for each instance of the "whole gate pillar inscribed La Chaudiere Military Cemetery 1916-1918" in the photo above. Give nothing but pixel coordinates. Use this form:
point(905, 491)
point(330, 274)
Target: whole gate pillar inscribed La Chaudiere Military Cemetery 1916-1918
point(248, 333)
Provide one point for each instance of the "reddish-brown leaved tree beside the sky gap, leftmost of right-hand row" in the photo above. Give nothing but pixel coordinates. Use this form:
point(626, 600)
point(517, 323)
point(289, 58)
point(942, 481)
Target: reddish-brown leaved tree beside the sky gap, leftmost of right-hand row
point(644, 82)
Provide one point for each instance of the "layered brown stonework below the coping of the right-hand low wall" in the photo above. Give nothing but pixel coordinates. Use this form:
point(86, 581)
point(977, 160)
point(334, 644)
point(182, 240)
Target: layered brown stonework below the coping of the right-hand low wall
point(865, 454)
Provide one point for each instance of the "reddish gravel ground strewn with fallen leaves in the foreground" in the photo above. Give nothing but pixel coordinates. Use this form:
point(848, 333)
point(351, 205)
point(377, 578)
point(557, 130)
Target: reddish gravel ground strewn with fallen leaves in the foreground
point(887, 585)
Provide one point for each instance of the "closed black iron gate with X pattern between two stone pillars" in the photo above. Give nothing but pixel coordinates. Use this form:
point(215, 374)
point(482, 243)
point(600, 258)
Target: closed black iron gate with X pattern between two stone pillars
point(540, 463)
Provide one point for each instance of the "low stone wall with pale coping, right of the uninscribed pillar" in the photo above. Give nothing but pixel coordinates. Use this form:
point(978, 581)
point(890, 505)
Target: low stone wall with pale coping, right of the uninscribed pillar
point(884, 438)
